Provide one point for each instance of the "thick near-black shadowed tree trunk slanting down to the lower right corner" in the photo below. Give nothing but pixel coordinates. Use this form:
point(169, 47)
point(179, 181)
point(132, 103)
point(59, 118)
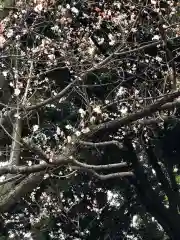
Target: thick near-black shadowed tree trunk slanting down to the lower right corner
point(150, 199)
